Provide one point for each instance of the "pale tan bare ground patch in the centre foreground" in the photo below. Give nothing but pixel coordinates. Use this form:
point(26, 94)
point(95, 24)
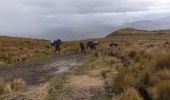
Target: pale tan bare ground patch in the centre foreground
point(82, 86)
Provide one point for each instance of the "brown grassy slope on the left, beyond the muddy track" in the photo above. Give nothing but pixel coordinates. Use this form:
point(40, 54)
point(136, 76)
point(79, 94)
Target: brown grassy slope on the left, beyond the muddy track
point(15, 50)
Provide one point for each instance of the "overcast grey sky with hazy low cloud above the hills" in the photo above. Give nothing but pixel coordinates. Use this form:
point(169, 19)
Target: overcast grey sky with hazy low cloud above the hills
point(74, 19)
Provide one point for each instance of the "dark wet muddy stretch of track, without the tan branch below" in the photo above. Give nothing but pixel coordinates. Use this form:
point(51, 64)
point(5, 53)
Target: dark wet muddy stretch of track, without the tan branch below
point(41, 71)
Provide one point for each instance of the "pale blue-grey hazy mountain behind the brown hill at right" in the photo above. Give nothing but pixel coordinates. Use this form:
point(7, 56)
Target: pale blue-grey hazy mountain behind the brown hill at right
point(157, 24)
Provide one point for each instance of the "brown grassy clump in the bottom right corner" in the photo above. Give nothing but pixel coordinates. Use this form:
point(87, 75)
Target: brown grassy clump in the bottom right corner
point(163, 90)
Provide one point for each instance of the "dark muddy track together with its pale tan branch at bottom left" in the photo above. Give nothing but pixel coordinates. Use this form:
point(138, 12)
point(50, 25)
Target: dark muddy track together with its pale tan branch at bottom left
point(37, 74)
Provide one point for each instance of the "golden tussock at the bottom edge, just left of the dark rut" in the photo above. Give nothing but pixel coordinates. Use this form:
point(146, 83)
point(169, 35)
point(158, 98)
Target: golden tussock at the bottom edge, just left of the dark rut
point(130, 94)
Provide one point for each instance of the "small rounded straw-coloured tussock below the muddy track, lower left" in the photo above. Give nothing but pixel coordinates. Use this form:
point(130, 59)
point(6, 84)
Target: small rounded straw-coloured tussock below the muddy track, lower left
point(18, 85)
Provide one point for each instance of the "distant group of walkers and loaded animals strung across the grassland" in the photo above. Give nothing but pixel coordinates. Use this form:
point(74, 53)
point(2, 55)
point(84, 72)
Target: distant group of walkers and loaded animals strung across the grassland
point(90, 45)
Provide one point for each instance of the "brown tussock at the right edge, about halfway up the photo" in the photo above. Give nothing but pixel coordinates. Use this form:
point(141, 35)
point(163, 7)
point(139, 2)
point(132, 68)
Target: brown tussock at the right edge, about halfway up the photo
point(162, 61)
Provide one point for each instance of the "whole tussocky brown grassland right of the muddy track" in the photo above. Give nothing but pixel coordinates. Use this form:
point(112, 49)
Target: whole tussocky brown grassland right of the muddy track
point(137, 69)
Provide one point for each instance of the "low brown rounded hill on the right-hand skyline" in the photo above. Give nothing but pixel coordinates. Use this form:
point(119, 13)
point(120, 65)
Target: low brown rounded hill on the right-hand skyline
point(137, 32)
